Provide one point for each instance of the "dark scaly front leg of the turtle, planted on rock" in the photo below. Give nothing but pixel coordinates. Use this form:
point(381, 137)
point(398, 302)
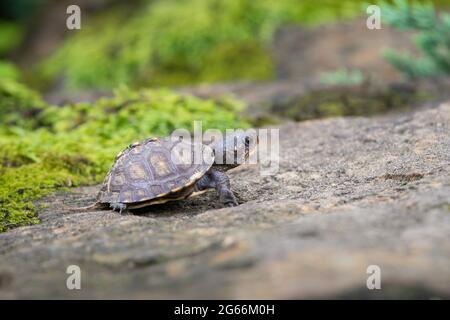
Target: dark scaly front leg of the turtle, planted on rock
point(220, 181)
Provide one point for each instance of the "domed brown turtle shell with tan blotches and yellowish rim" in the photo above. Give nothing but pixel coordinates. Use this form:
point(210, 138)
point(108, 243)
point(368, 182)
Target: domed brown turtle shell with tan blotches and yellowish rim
point(155, 171)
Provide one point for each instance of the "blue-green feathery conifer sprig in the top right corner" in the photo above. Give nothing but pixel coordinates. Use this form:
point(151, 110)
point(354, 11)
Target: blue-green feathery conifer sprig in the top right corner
point(432, 38)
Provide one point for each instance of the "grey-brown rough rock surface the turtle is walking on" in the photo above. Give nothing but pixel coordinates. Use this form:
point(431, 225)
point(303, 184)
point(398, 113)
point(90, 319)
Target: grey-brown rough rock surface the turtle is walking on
point(350, 193)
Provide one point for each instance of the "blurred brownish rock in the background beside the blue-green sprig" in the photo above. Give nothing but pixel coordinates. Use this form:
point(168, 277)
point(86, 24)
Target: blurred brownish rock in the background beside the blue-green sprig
point(303, 53)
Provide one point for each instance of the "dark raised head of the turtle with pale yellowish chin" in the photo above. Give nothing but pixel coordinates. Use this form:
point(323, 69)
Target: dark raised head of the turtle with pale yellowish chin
point(235, 148)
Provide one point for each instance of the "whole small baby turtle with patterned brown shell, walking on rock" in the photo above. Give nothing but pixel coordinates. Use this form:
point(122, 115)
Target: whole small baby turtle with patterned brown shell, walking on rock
point(159, 170)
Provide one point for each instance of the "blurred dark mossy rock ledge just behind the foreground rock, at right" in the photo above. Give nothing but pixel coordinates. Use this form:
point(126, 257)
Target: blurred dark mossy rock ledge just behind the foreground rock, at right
point(305, 99)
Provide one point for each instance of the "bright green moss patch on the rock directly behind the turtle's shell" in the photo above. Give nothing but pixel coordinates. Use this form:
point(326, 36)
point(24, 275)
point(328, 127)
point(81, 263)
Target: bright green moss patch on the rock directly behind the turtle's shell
point(76, 144)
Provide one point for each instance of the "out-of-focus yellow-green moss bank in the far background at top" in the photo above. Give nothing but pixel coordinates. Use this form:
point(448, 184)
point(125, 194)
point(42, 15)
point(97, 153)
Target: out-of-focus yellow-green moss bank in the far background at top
point(173, 42)
